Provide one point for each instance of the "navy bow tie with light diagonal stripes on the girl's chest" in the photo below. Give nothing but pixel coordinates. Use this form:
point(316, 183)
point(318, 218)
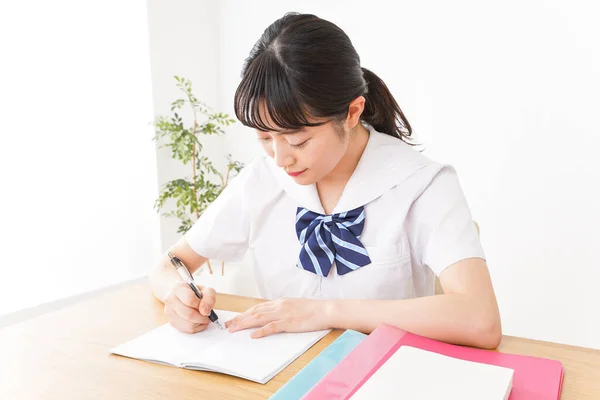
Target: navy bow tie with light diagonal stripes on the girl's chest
point(325, 238)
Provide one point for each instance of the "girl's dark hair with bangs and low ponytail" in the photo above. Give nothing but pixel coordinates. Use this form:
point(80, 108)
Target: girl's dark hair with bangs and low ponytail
point(303, 66)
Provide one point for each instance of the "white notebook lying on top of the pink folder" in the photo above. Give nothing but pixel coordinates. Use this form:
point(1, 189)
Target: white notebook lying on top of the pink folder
point(412, 373)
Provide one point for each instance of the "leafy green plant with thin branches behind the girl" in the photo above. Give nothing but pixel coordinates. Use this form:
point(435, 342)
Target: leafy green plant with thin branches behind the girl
point(192, 194)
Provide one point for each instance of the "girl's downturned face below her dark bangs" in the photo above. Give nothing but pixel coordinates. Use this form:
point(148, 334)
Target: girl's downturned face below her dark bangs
point(309, 154)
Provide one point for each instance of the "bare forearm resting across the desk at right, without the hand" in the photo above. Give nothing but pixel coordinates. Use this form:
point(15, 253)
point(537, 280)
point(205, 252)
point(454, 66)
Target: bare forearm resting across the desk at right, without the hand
point(453, 318)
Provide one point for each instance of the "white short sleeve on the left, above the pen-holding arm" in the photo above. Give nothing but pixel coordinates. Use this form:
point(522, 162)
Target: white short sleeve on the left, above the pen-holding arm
point(223, 229)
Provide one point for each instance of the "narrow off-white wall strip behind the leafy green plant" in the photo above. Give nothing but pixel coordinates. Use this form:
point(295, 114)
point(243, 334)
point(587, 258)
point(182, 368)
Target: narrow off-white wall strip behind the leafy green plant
point(183, 42)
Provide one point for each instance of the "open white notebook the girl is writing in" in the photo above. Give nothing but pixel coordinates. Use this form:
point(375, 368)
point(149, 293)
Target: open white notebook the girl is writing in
point(217, 350)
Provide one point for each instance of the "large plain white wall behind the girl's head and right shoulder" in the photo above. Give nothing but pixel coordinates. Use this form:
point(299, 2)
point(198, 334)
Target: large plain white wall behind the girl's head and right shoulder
point(508, 93)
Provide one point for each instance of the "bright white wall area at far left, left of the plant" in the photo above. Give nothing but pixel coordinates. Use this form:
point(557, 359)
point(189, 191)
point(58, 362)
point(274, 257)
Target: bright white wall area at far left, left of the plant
point(77, 163)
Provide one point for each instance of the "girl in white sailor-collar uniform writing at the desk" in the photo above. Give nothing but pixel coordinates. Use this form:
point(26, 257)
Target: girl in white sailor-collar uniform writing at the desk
point(346, 222)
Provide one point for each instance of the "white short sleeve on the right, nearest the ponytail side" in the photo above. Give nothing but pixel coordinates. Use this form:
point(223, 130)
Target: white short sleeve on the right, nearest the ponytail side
point(440, 226)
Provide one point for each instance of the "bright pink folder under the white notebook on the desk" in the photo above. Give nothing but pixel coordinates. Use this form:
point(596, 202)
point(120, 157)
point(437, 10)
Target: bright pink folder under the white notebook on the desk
point(534, 378)
